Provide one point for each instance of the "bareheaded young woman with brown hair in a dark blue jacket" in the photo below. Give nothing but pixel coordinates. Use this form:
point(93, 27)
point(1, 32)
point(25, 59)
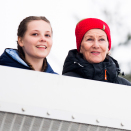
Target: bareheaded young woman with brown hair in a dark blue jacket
point(34, 44)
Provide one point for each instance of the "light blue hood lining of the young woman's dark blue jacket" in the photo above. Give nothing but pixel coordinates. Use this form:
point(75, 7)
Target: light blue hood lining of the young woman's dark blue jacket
point(14, 54)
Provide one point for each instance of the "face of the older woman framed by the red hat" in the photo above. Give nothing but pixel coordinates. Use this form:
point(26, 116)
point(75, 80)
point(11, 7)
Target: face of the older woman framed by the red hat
point(94, 46)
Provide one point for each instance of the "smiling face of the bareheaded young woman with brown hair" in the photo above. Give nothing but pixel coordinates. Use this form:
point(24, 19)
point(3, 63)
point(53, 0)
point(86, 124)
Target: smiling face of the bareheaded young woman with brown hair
point(37, 40)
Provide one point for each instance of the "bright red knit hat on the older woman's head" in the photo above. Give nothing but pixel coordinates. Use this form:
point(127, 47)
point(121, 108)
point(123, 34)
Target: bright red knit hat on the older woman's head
point(90, 23)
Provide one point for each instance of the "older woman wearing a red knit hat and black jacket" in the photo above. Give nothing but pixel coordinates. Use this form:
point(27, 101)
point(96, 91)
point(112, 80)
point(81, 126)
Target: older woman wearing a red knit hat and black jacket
point(91, 59)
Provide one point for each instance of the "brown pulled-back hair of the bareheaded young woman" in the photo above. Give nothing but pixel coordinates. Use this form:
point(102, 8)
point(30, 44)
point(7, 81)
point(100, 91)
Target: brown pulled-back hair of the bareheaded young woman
point(21, 32)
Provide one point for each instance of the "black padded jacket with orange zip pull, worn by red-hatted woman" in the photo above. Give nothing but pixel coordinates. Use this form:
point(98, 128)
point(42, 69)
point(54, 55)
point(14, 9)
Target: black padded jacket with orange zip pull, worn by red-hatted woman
point(76, 66)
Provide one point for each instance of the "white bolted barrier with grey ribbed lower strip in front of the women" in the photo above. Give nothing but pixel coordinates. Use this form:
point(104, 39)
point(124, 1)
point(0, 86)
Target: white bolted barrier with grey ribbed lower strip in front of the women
point(37, 101)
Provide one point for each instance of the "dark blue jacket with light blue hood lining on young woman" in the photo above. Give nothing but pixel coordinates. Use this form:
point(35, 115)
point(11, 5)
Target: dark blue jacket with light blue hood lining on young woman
point(11, 58)
